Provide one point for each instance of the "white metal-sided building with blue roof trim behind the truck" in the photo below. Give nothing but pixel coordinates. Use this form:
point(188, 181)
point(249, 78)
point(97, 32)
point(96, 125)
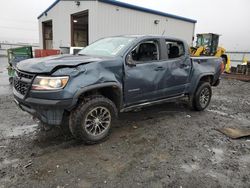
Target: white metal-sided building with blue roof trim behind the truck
point(68, 23)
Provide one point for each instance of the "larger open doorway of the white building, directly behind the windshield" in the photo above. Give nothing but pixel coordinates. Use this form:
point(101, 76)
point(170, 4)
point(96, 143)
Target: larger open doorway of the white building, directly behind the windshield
point(79, 29)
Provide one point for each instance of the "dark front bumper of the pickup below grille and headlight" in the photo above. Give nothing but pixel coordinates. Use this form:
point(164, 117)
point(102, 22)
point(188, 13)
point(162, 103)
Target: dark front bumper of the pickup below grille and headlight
point(48, 111)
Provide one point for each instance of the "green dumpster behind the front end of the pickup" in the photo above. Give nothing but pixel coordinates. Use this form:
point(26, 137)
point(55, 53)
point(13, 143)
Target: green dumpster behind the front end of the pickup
point(16, 55)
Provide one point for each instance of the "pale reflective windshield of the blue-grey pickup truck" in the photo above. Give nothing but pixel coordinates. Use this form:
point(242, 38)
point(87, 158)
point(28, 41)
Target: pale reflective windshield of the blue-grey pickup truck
point(107, 47)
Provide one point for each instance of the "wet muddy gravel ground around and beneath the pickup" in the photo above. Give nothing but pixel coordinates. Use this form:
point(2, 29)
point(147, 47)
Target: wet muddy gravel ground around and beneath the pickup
point(162, 146)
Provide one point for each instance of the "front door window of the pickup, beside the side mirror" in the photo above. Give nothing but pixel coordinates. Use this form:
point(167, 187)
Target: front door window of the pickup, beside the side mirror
point(146, 51)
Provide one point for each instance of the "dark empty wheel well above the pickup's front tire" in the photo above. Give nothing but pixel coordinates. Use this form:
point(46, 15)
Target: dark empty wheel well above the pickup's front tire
point(113, 93)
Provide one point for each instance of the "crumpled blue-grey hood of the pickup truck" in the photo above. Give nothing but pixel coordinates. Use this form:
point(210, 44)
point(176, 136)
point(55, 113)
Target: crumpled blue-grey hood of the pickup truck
point(52, 63)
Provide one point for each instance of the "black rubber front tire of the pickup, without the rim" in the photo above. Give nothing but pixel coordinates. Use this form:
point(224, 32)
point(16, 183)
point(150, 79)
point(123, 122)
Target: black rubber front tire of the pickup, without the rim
point(78, 115)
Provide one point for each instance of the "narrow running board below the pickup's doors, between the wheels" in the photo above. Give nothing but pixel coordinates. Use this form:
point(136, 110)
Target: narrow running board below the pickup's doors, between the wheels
point(126, 109)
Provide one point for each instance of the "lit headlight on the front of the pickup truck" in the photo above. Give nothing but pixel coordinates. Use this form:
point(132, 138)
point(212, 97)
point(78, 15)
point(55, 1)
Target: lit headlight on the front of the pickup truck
point(49, 83)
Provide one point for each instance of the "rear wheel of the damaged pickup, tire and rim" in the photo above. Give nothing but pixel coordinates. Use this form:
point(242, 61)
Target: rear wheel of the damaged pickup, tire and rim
point(202, 96)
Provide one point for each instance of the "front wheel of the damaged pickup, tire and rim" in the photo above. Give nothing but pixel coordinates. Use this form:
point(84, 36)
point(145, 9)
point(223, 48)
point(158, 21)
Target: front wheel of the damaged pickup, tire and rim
point(91, 121)
